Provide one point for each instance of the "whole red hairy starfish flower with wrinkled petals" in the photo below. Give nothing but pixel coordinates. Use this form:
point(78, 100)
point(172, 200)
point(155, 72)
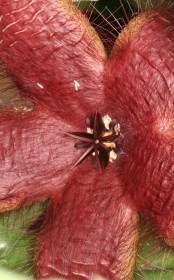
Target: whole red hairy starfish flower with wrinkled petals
point(56, 58)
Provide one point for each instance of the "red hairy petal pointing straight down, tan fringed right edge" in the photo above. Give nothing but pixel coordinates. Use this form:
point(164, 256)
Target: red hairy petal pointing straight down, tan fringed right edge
point(91, 229)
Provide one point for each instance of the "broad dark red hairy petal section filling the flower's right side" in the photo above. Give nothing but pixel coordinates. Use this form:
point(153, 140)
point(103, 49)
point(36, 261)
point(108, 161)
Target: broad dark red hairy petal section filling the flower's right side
point(140, 81)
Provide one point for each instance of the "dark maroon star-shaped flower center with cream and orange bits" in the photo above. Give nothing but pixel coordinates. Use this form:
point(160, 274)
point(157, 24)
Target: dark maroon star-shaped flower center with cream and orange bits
point(99, 140)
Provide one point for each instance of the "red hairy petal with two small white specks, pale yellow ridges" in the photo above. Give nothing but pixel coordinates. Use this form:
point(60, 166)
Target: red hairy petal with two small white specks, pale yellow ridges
point(50, 48)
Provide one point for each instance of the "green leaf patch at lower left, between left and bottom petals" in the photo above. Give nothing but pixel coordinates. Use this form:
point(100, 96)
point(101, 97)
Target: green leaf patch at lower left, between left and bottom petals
point(16, 240)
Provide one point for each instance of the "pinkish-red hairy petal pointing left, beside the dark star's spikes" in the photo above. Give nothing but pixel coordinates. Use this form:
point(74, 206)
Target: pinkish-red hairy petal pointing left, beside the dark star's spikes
point(34, 155)
